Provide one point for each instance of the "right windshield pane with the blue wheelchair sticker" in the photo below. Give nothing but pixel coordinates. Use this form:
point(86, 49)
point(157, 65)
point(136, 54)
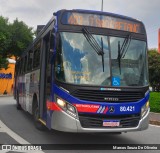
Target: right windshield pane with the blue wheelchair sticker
point(132, 70)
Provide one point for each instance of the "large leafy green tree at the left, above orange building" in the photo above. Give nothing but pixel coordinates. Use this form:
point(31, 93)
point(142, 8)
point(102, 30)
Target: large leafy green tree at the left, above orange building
point(14, 39)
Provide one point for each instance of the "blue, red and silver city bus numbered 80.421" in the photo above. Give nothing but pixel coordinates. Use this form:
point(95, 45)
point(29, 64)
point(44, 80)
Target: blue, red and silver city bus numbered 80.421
point(86, 71)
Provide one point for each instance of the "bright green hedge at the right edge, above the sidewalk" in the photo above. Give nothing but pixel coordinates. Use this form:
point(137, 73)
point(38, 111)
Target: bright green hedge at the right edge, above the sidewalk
point(155, 102)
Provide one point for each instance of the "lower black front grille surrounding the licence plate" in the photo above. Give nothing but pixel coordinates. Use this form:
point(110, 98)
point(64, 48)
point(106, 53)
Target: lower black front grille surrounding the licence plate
point(128, 121)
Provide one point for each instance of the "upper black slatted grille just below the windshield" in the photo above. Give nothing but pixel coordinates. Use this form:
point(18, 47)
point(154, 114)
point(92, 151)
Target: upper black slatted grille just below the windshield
point(108, 96)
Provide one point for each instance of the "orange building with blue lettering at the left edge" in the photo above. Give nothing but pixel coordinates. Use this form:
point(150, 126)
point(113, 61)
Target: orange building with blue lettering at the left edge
point(7, 78)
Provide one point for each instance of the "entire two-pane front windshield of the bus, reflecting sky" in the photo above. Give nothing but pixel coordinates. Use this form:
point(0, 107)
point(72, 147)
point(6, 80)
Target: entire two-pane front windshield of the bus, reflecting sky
point(77, 62)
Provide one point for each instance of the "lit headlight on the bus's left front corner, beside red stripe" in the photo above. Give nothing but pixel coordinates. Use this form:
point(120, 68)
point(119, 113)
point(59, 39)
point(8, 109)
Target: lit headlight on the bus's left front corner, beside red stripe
point(68, 108)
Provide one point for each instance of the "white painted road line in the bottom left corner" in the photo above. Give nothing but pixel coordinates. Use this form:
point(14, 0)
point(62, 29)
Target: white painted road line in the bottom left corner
point(19, 139)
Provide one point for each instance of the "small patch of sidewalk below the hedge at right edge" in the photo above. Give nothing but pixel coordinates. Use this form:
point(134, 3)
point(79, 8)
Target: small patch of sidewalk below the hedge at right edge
point(154, 118)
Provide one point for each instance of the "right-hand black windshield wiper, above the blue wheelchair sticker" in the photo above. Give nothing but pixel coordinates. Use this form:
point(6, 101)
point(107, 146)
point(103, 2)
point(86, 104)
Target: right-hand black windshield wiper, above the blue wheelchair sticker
point(122, 50)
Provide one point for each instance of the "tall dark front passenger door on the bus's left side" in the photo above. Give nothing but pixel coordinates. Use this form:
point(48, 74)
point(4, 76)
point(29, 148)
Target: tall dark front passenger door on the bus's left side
point(45, 74)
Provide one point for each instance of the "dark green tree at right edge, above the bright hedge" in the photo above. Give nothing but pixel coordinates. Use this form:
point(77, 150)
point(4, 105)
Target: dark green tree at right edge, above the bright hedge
point(154, 69)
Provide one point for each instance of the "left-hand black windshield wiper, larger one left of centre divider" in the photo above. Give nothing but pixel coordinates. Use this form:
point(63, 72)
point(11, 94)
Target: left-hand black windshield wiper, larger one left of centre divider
point(94, 44)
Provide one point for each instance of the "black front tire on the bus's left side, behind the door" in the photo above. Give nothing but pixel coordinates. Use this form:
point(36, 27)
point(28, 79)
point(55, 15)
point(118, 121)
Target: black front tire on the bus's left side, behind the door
point(37, 123)
